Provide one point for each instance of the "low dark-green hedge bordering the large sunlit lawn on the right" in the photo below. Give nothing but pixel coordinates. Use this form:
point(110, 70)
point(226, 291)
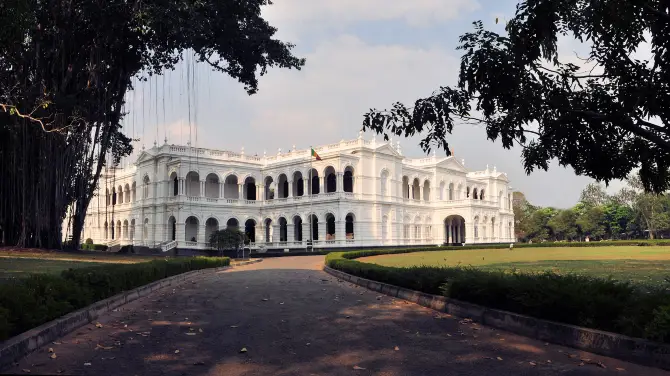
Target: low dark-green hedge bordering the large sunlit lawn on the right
point(622, 307)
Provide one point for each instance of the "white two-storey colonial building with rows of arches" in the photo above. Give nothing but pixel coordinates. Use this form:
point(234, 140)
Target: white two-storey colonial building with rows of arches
point(362, 193)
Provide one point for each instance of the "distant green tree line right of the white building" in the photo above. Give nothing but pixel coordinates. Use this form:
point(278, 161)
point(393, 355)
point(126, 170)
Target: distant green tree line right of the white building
point(631, 213)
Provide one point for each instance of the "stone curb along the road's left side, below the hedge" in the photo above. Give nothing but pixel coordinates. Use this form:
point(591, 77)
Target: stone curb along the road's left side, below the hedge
point(16, 348)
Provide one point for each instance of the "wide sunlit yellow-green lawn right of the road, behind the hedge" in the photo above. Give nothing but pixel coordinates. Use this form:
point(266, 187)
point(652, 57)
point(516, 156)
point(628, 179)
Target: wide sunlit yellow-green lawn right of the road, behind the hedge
point(638, 264)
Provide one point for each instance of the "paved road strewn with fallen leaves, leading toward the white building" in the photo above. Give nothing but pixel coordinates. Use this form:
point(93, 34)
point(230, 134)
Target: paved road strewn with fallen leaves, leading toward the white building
point(293, 319)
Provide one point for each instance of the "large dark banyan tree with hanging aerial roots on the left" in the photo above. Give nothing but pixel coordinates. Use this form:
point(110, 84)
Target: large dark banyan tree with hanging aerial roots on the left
point(65, 69)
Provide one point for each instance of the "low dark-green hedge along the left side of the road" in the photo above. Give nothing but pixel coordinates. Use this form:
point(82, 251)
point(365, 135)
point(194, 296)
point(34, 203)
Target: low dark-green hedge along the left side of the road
point(30, 302)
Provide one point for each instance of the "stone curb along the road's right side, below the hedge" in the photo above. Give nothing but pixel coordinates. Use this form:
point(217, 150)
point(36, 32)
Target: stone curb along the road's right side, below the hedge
point(635, 350)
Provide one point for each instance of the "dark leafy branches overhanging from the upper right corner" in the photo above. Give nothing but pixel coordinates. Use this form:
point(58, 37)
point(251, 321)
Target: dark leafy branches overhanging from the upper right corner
point(605, 120)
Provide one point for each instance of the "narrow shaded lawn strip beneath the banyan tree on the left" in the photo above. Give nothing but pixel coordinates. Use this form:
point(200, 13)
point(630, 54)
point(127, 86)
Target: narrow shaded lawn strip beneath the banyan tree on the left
point(19, 263)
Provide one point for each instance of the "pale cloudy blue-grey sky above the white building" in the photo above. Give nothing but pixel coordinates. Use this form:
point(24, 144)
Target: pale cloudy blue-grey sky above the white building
point(361, 54)
